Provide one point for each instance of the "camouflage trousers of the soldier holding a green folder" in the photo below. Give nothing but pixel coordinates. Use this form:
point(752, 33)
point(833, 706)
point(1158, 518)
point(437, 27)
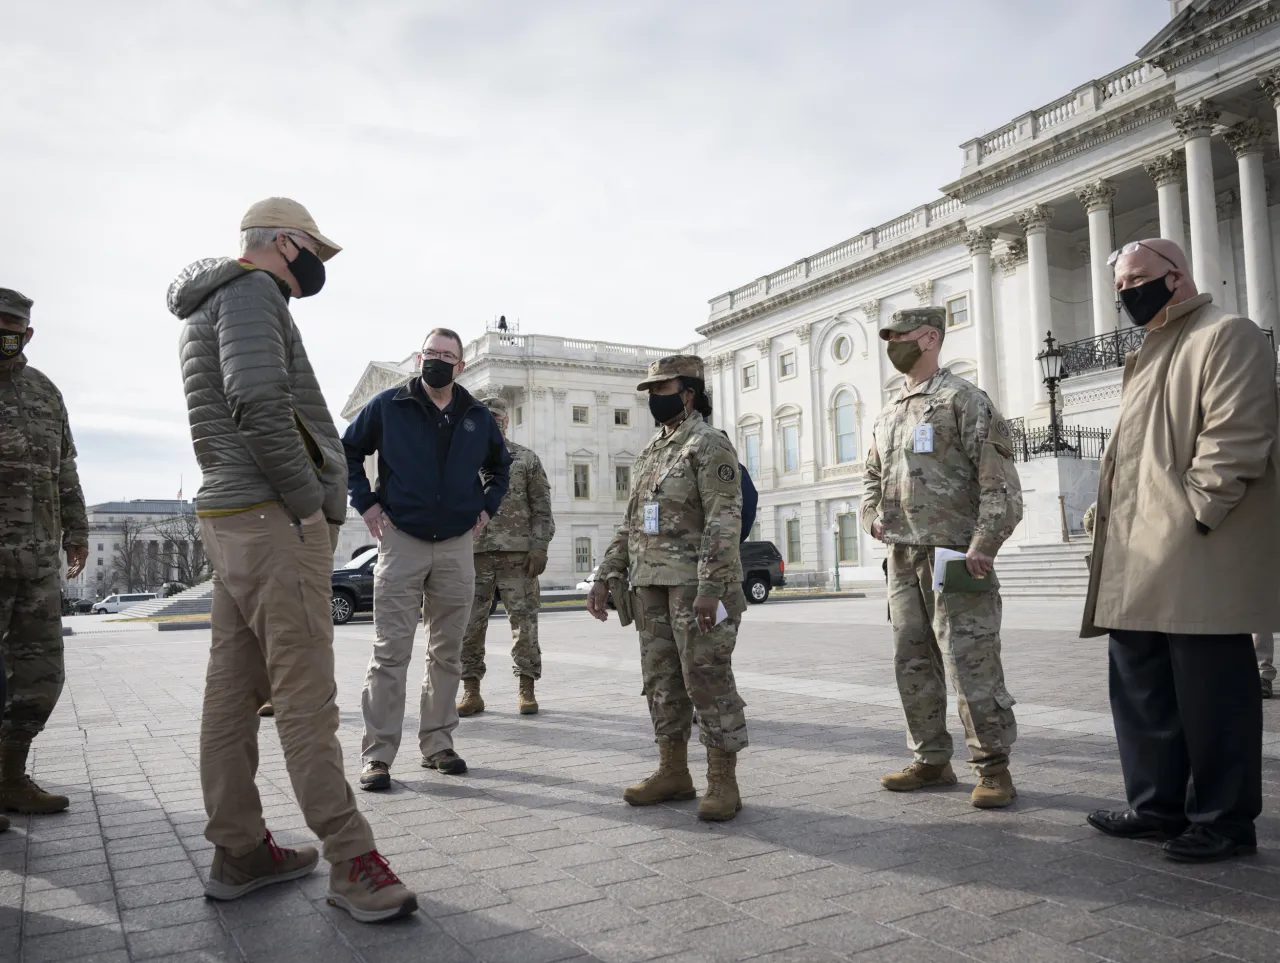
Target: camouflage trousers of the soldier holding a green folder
point(961, 631)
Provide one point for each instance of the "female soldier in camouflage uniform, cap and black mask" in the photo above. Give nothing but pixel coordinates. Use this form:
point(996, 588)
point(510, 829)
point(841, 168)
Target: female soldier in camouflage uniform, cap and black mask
point(679, 544)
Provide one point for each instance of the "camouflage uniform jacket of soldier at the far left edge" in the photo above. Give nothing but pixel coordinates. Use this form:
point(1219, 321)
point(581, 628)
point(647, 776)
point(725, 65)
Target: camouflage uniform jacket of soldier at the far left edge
point(42, 504)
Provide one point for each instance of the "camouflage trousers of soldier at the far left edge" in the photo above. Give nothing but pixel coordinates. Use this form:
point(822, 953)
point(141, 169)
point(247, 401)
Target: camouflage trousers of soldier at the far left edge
point(31, 642)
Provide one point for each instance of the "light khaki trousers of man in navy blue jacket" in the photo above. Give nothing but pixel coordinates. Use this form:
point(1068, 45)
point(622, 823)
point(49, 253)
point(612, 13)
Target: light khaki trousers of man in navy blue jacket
point(435, 581)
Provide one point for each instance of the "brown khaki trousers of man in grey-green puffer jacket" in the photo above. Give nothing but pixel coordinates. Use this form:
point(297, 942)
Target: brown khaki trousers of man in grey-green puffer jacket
point(273, 638)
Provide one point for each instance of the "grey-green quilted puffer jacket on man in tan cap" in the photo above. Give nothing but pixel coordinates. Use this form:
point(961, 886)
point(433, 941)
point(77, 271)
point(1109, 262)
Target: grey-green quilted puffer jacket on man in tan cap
point(259, 422)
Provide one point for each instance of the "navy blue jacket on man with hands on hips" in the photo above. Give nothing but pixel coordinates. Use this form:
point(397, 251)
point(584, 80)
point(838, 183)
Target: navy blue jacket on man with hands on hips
point(412, 490)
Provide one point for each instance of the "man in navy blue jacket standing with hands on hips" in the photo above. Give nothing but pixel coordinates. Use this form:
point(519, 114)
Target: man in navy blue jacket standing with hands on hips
point(442, 474)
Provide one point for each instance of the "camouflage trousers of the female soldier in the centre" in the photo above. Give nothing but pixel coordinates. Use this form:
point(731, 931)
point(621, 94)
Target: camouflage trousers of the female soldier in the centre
point(685, 670)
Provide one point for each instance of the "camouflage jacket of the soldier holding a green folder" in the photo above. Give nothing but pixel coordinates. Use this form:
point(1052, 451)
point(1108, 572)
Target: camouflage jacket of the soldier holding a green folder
point(966, 492)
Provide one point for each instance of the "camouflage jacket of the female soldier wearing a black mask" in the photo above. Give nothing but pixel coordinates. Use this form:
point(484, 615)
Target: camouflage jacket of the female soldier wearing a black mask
point(691, 474)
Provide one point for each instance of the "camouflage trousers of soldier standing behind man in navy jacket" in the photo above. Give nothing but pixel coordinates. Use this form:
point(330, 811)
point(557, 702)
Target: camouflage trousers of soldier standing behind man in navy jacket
point(522, 597)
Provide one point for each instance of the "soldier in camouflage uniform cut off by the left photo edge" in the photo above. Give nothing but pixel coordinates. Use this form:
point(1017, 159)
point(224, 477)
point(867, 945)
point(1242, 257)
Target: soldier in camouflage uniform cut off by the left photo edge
point(42, 512)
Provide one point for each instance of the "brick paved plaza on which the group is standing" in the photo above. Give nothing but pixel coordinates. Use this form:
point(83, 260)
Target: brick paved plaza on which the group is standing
point(533, 857)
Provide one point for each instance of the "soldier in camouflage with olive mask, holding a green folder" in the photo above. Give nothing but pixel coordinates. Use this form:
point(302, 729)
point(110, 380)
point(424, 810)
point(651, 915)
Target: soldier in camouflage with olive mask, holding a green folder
point(940, 473)
